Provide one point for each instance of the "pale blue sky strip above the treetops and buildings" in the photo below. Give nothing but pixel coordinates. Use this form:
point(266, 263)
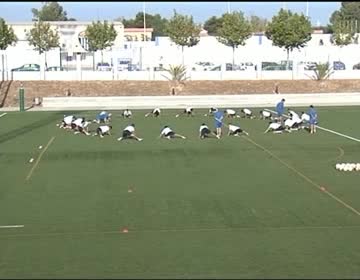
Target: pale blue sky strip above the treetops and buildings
point(319, 12)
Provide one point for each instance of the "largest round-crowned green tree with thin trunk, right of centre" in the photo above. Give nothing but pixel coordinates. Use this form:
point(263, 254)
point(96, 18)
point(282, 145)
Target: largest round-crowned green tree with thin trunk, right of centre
point(289, 31)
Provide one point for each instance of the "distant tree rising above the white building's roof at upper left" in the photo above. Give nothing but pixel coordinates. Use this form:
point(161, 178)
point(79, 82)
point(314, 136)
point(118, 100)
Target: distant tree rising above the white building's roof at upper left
point(50, 11)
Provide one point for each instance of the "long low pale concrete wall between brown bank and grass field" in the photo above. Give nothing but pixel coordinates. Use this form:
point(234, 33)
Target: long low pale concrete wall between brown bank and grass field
point(204, 101)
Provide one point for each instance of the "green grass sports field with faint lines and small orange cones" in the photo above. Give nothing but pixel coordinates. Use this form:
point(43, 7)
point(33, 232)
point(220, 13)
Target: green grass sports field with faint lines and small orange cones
point(239, 207)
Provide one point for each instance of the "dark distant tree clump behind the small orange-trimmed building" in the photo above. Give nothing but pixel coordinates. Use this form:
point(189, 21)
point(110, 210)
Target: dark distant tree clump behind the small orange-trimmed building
point(152, 21)
